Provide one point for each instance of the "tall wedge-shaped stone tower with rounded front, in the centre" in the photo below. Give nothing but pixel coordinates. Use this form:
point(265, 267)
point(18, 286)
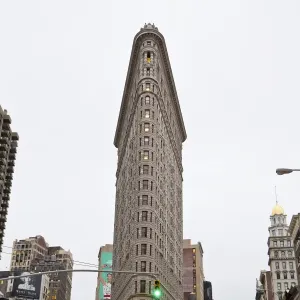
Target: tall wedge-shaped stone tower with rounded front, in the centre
point(148, 232)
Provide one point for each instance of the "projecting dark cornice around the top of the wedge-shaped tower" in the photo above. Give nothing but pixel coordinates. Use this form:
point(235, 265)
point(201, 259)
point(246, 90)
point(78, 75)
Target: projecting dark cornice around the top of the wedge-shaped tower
point(158, 37)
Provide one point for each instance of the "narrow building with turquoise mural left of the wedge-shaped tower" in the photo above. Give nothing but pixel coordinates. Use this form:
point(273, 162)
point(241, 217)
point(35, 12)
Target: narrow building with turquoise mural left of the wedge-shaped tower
point(103, 290)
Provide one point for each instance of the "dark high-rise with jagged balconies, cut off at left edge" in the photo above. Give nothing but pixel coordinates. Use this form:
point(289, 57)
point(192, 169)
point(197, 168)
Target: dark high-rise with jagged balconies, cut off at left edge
point(8, 150)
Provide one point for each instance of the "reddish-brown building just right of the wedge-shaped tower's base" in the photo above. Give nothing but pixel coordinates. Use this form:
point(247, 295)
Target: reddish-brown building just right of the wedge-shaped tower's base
point(193, 275)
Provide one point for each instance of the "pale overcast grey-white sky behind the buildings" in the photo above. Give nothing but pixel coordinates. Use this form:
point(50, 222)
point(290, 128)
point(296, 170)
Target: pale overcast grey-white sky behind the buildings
point(236, 66)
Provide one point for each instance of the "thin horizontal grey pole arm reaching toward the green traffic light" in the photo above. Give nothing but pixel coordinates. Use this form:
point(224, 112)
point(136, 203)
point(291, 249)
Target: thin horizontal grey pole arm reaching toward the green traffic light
point(154, 275)
